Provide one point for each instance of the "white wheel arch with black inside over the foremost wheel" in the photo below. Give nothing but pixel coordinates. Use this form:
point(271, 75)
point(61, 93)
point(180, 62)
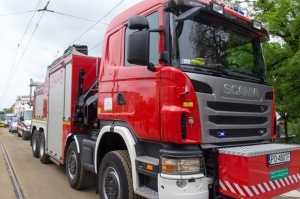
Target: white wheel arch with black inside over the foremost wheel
point(116, 138)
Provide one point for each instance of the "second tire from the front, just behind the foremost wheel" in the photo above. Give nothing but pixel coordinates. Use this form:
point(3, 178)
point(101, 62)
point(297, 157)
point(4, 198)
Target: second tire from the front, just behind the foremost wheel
point(78, 177)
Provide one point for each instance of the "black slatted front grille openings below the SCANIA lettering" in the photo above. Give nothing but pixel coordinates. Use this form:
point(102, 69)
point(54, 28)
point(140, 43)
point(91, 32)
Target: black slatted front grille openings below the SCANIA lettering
point(236, 120)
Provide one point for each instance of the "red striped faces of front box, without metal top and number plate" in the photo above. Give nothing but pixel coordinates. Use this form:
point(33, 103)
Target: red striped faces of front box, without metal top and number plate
point(249, 177)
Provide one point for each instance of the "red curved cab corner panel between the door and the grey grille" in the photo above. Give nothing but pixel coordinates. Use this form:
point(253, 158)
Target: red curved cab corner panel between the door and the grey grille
point(173, 99)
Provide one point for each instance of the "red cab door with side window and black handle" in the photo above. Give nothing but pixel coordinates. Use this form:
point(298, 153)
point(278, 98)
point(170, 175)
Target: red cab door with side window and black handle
point(138, 89)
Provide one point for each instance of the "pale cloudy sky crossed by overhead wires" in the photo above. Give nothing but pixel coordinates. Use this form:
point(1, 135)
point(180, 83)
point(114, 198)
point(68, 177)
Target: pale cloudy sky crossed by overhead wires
point(30, 38)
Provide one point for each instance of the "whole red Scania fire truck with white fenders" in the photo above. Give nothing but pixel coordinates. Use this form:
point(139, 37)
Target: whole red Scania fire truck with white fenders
point(178, 106)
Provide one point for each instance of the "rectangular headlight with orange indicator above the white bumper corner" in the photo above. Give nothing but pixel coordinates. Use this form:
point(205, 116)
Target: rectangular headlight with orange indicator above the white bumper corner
point(179, 166)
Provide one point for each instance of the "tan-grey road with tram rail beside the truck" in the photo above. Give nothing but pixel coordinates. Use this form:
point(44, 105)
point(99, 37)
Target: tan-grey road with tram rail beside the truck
point(37, 180)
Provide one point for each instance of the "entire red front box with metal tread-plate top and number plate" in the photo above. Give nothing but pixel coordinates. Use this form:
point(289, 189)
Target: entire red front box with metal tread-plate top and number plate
point(259, 171)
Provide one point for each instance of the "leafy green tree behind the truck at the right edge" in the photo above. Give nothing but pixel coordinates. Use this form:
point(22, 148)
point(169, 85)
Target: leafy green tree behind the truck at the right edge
point(282, 53)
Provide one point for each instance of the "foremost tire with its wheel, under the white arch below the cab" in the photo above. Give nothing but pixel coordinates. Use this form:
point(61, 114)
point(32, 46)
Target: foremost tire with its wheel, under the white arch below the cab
point(115, 178)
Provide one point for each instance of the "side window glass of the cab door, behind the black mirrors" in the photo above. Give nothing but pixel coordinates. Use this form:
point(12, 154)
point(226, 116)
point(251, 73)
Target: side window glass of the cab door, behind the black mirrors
point(153, 23)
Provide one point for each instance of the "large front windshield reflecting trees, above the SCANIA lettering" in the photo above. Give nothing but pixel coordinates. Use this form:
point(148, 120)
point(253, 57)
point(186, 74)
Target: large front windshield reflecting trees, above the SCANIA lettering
point(213, 46)
